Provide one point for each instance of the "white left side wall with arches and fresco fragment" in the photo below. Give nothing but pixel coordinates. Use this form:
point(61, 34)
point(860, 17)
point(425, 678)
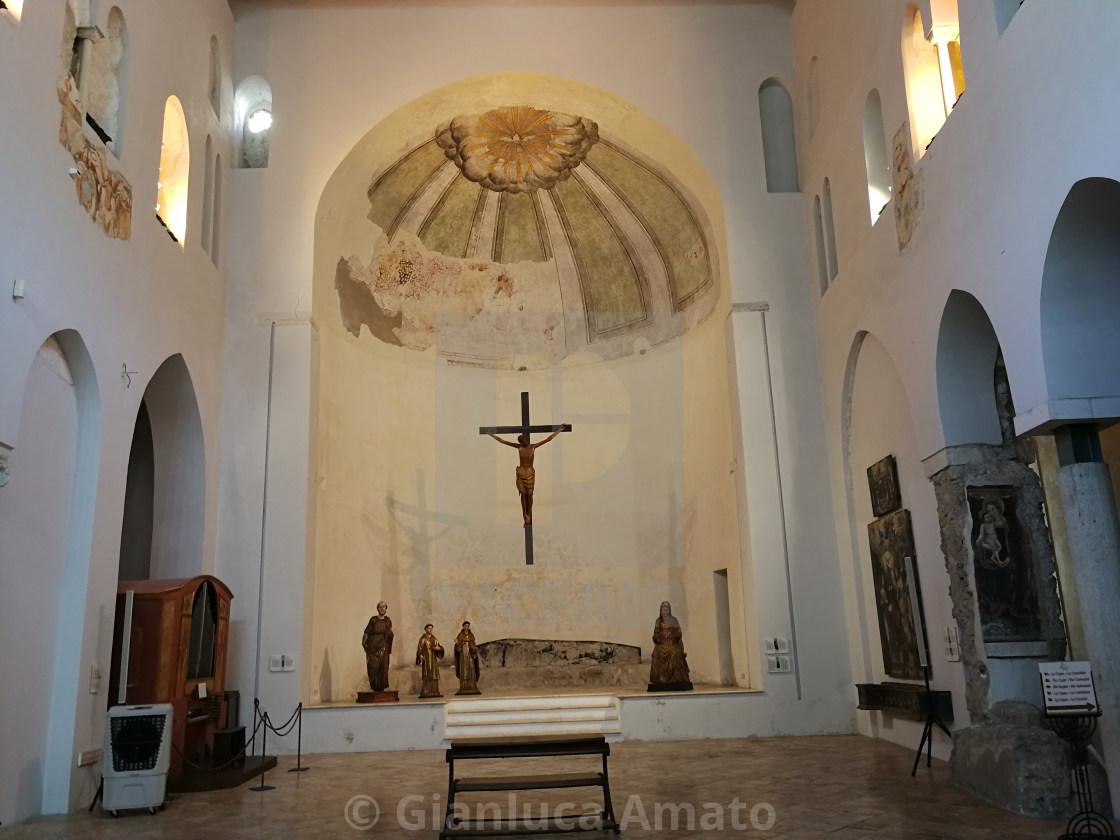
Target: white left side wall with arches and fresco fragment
point(134, 303)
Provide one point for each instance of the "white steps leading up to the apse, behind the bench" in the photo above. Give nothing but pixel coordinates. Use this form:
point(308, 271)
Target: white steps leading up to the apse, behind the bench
point(564, 715)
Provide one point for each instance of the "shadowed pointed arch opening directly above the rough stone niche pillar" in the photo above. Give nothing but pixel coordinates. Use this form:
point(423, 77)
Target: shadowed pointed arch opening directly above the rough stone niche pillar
point(968, 350)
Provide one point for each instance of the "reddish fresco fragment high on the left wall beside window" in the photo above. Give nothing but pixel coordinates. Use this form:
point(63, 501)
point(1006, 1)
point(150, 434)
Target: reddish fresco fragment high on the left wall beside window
point(105, 193)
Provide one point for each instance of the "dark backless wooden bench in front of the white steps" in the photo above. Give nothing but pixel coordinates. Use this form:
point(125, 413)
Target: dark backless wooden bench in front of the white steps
point(545, 746)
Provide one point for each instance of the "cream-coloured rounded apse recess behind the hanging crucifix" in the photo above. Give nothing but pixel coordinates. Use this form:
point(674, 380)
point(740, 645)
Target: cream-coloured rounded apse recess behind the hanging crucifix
point(443, 286)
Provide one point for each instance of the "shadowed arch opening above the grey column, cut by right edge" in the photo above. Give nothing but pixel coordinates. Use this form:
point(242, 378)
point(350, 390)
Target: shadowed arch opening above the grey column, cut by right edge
point(1080, 298)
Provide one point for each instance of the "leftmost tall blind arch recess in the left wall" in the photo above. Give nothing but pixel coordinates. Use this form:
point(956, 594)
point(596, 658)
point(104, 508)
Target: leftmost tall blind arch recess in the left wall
point(46, 512)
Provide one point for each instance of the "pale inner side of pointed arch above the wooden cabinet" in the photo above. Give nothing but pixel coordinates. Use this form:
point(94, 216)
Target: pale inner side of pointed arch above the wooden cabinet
point(179, 500)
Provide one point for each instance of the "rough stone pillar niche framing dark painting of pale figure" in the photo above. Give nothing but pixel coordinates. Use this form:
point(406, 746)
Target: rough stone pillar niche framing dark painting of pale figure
point(1002, 572)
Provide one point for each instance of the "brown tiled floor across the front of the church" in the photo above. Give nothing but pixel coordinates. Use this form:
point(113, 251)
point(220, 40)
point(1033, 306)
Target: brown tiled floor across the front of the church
point(839, 788)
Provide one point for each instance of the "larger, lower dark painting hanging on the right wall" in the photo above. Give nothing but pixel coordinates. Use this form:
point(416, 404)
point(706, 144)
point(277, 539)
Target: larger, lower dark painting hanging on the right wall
point(892, 540)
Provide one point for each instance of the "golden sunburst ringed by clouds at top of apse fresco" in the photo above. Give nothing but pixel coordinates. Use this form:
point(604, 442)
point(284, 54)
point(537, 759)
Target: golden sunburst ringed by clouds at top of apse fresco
point(518, 148)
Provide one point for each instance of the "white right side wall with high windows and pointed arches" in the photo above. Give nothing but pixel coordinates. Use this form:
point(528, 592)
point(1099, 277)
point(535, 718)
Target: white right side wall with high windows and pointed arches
point(995, 178)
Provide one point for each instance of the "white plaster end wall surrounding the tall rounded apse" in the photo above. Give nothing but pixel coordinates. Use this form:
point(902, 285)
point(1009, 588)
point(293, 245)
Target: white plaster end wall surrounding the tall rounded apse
point(335, 72)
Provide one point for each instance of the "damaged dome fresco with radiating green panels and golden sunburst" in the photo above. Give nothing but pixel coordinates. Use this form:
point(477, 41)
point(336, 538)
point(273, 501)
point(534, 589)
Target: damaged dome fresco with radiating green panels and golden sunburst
point(520, 231)
